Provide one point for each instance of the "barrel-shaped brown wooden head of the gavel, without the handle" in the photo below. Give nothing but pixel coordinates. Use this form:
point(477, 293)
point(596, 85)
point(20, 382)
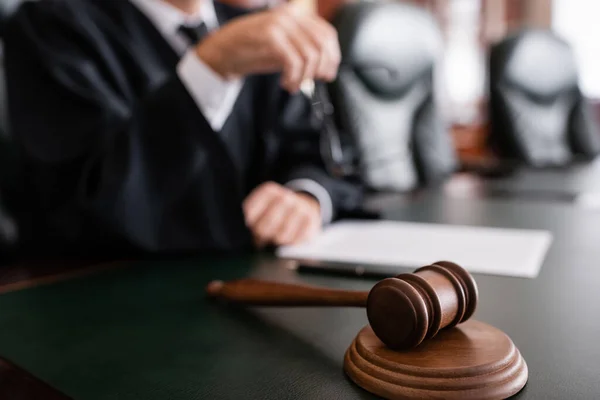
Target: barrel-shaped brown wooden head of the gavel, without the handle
point(405, 310)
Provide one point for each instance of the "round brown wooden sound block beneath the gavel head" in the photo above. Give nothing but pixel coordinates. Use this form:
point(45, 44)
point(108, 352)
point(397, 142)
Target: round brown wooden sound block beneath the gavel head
point(470, 361)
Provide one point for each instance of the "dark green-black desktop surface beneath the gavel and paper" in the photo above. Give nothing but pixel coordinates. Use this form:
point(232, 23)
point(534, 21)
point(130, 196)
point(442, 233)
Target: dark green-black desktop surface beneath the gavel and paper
point(145, 330)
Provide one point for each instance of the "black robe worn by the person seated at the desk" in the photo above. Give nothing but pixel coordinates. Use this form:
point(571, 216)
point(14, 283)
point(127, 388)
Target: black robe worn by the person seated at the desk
point(116, 153)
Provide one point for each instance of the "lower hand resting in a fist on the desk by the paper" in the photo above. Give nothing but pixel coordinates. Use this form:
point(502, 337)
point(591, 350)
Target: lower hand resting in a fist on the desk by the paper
point(277, 215)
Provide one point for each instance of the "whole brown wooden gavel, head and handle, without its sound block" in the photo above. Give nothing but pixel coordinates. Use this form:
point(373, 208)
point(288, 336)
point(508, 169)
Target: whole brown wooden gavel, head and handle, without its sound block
point(403, 311)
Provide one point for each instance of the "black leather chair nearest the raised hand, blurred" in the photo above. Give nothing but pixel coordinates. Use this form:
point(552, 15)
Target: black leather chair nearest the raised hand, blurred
point(384, 96)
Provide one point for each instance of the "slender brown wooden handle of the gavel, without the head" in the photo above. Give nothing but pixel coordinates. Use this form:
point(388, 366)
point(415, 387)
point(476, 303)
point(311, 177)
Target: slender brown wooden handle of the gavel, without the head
point(264, 293)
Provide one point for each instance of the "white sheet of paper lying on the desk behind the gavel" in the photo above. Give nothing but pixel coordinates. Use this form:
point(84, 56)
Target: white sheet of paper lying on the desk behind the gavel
point(499, 251)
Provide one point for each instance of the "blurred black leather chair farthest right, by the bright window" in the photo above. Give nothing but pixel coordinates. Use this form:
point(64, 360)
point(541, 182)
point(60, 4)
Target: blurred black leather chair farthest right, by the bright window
point(538, 115)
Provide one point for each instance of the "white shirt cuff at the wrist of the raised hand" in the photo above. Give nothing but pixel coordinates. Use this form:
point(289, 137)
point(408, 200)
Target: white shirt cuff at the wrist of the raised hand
point(214, 95)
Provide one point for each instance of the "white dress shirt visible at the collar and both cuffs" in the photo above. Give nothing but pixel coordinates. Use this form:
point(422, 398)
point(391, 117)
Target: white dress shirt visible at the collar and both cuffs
point(214, 95)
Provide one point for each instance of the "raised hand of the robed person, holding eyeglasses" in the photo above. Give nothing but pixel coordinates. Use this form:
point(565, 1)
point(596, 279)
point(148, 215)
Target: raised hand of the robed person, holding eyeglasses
point(285, 39)
